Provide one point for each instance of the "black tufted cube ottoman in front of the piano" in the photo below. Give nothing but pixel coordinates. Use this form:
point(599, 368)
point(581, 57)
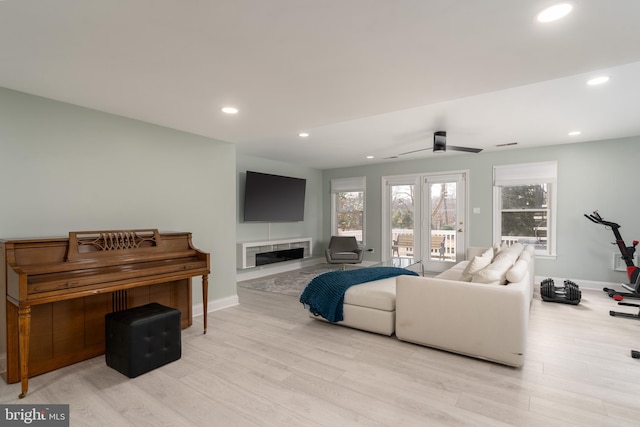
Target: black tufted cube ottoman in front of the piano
point(142, 338)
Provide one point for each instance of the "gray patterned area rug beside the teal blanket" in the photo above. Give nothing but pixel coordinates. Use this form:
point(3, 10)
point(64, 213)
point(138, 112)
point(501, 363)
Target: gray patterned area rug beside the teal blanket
point(290, 282)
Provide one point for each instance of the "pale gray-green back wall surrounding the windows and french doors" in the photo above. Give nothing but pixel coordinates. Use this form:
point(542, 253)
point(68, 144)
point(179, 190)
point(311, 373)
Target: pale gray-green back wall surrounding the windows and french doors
point(595, 175)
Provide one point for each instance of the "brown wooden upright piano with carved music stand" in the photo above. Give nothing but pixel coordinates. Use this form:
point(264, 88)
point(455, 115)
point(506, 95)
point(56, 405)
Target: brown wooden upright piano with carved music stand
point(59, 289)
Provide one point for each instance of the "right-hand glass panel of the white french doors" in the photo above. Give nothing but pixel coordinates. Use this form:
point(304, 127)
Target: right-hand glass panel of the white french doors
point(443, 220)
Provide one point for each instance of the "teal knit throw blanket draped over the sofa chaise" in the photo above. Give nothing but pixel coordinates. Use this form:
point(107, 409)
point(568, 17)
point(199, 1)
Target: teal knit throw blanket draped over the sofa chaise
point(324, 295)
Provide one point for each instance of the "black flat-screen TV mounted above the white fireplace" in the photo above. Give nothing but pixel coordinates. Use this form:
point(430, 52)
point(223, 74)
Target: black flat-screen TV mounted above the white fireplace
point(273, 198)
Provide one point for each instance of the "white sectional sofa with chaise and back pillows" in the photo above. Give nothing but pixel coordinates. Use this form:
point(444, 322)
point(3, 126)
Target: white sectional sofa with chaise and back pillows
point(479, 307)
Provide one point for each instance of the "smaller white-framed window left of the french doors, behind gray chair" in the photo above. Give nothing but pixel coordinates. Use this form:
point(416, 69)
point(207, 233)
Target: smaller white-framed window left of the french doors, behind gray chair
point(348, 217)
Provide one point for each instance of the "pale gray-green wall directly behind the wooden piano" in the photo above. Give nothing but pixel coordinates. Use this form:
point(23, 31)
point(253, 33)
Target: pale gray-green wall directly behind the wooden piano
point(66, 168)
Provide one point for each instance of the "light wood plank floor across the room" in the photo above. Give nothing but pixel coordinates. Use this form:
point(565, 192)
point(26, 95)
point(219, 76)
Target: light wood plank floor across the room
point(264, 362)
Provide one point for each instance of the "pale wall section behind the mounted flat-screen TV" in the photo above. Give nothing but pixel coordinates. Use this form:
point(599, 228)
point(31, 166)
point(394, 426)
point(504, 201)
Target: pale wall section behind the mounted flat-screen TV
point(313, 212)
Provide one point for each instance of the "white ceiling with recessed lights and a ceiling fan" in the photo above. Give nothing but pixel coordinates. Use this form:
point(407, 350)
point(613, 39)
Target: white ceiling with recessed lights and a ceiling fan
point(363, 77)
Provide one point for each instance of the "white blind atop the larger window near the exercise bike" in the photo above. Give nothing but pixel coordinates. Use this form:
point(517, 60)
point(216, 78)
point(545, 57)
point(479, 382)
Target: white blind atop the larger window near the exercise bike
point(525, 174)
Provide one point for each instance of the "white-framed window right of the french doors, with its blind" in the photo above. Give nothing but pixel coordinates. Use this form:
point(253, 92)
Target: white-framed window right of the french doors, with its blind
point(525, 205)
